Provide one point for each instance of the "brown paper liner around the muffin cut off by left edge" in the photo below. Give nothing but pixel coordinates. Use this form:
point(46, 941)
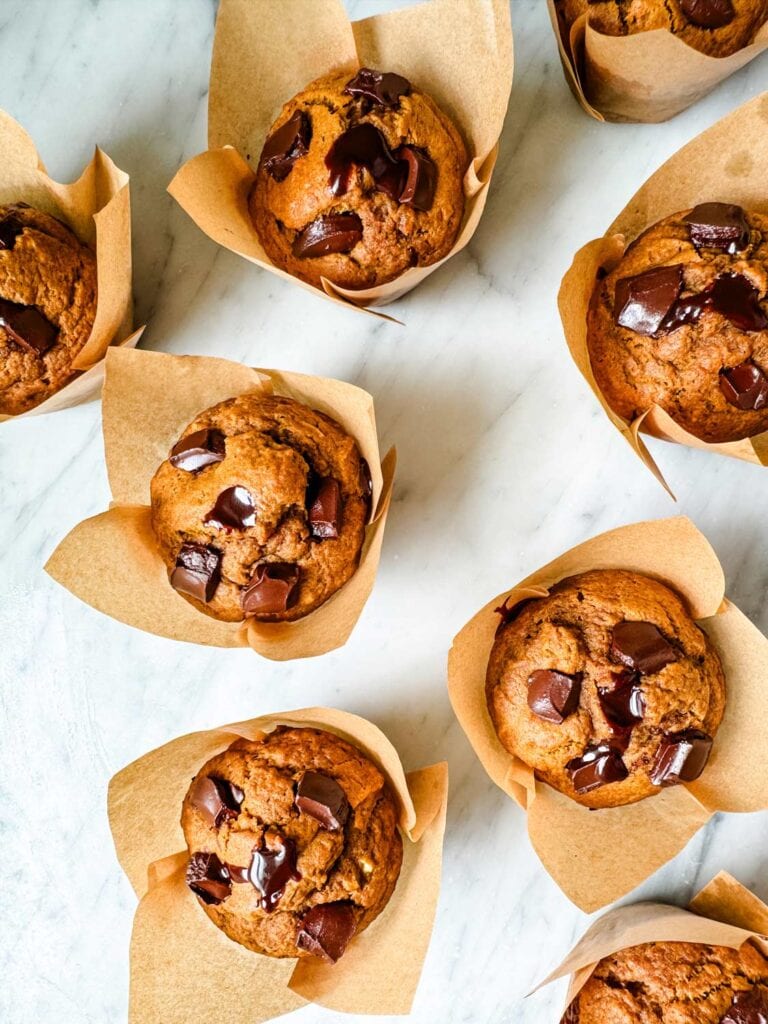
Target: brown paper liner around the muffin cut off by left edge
point(98, 209)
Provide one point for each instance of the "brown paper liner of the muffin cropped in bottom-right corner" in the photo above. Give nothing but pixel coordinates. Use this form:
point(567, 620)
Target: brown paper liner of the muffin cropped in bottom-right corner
point(724, 914)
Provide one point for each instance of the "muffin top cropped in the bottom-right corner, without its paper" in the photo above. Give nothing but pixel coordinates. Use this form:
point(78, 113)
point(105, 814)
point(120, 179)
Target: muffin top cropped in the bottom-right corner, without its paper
point(680, 983)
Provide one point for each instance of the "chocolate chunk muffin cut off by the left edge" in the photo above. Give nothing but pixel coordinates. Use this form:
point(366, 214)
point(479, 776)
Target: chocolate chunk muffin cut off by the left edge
point(48, 306)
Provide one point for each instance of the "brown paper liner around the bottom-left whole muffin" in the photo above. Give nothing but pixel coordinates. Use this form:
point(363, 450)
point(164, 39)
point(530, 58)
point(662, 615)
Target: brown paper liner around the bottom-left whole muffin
point(179, 957)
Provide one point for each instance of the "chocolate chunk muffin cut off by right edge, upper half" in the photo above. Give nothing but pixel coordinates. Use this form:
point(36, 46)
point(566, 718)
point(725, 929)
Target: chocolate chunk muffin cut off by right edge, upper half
point(681, 323)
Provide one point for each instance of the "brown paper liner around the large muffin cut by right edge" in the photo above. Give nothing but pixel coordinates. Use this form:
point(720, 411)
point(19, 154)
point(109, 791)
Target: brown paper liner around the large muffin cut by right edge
point(728, 163)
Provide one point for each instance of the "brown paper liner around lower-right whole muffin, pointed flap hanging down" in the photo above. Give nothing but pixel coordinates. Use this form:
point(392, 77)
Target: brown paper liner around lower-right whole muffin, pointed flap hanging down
point(599, 857)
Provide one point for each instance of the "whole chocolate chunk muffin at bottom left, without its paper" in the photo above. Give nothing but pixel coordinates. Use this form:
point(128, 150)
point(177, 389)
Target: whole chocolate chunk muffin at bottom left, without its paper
point(293, 842)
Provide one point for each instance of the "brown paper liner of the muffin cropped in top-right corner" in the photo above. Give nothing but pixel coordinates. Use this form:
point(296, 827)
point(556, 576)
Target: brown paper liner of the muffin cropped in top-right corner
point(646, 77)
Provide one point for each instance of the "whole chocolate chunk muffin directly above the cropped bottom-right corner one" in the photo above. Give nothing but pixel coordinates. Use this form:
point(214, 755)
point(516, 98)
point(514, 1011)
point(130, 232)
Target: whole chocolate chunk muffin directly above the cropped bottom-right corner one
point(607, 689)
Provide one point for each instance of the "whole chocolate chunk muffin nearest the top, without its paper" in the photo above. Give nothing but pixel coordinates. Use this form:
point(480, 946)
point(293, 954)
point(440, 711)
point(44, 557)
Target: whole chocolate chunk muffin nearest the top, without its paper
point(361, 179)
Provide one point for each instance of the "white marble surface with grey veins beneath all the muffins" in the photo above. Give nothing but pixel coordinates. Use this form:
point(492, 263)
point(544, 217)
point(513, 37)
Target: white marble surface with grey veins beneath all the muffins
point(505, 461)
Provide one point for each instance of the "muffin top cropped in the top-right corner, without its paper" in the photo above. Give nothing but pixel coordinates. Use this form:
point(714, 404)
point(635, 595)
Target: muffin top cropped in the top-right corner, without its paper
point(715, 27)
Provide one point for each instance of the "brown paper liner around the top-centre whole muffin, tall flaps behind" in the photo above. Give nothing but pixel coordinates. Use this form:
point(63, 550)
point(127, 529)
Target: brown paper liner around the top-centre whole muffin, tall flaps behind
point(264, 55)
